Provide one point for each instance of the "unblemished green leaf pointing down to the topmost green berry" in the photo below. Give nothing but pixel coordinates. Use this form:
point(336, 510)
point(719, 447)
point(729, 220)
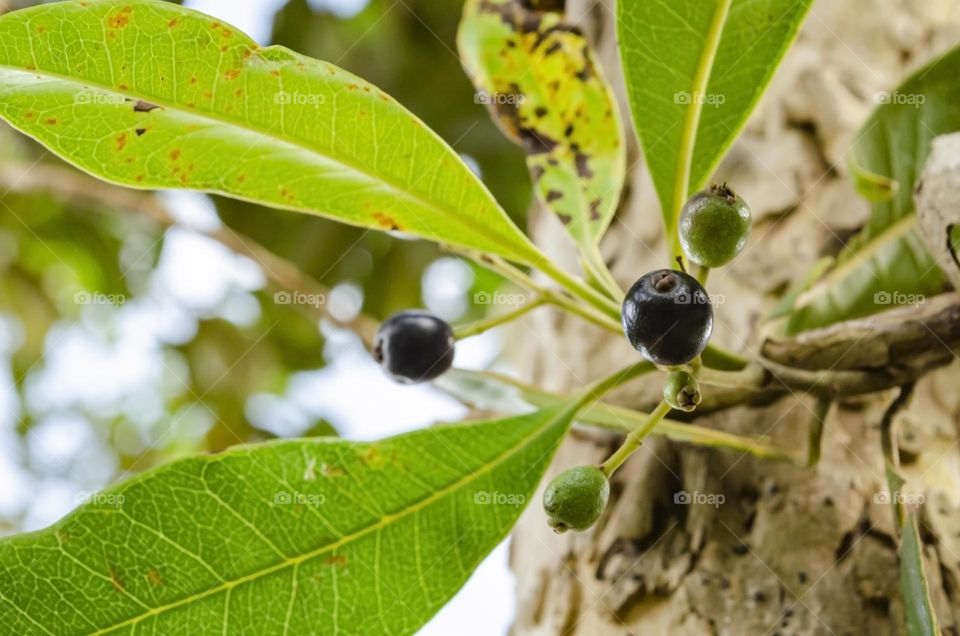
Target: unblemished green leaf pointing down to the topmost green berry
point(694, 71)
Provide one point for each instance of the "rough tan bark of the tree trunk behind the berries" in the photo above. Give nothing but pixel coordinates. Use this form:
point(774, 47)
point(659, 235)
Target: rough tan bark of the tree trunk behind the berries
point(789, 550)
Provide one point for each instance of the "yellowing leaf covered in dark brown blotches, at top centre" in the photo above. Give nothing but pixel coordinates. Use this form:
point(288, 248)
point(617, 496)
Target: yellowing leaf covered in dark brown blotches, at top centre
point(542, 83)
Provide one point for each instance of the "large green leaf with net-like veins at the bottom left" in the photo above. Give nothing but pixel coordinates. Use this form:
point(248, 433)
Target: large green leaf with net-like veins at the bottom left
point(298, 536)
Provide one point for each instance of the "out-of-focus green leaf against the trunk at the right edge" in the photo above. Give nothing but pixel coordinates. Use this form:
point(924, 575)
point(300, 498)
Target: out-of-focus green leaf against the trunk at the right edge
point(887, 263)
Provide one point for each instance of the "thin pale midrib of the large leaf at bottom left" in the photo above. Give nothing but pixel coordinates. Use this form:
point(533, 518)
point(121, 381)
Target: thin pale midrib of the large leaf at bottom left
point(353, 536)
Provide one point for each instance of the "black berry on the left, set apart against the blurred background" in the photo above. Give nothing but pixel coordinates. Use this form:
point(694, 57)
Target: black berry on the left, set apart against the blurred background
point(414, 346)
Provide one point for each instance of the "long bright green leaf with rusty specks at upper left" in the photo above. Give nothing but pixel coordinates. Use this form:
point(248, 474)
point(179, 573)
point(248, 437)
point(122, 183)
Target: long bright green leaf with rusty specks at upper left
point(150, 95)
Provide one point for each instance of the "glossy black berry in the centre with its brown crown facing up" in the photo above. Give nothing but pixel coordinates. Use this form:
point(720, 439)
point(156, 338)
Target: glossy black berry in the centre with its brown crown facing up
point(667, 317)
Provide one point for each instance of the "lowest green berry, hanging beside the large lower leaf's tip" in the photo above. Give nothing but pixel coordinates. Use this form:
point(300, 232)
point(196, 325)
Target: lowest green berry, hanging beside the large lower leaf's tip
point(575, 499)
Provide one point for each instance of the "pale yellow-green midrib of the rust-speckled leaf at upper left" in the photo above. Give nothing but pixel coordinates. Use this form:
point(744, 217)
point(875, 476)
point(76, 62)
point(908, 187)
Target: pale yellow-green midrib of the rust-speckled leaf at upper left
point(530, 257)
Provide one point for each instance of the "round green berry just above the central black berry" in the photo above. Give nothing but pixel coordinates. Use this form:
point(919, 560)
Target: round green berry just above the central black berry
point(714, 226)
